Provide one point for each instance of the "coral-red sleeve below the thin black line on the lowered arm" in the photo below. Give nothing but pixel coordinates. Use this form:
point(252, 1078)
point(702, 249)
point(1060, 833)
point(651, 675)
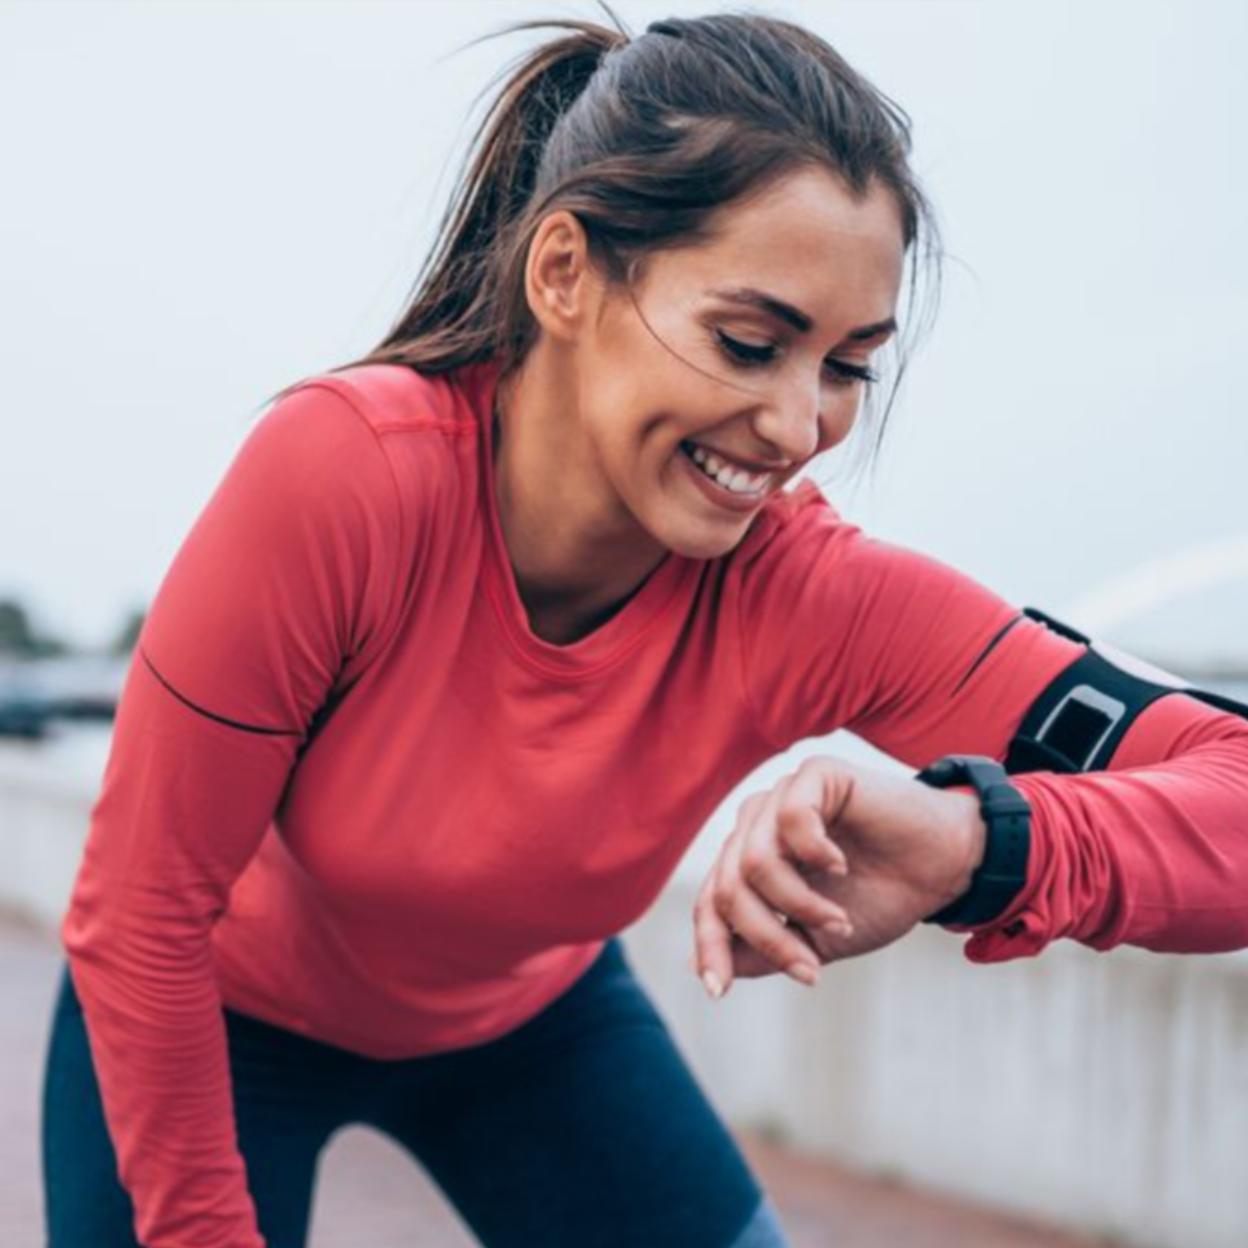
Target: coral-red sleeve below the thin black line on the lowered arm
point(167, 839)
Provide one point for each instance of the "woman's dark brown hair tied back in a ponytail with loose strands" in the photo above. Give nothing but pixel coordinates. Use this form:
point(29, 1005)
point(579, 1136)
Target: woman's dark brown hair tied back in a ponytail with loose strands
point(643, 139)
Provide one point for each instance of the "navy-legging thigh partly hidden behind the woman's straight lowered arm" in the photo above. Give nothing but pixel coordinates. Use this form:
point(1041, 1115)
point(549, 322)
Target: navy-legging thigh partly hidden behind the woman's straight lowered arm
point(280, 1136)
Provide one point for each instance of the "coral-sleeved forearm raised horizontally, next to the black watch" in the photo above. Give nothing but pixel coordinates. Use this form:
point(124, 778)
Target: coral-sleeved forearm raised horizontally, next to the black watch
point(1153, 853)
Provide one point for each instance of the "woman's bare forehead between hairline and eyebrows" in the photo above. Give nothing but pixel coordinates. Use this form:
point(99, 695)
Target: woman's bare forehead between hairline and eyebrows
point(806, 239)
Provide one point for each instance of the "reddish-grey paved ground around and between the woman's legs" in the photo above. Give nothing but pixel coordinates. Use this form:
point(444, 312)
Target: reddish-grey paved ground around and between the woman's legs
point(373, 1196)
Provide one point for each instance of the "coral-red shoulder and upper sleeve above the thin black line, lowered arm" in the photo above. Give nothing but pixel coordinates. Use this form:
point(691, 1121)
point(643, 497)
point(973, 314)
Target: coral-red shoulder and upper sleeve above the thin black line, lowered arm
point(286, 575)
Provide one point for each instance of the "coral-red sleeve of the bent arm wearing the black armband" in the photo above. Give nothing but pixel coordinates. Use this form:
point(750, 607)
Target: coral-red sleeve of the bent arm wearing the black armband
point(841, 630)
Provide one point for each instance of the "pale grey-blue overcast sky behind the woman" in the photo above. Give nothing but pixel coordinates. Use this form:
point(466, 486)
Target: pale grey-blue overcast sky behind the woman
point(205, 202)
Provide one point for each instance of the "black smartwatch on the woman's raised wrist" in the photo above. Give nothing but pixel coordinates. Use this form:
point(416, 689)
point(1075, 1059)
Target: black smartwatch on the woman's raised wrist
point(1008, 821)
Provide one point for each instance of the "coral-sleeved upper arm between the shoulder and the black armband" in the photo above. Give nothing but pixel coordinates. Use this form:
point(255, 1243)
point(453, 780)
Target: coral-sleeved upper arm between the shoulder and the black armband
point(842, 630)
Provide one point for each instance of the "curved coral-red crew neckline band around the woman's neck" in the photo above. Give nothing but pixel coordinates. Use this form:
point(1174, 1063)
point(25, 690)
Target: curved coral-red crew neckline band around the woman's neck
point(611, 641)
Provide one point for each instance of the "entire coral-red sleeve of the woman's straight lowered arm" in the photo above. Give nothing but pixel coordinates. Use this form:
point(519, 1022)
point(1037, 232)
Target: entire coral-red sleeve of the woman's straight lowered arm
point(279, 595)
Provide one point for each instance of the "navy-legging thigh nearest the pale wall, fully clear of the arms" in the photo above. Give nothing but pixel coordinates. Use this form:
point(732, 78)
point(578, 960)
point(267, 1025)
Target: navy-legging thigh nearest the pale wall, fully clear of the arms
point(583, 1129)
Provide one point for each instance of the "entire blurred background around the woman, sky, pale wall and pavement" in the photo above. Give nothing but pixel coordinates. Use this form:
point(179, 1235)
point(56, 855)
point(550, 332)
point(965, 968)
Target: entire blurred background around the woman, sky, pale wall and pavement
point(208, 202)
